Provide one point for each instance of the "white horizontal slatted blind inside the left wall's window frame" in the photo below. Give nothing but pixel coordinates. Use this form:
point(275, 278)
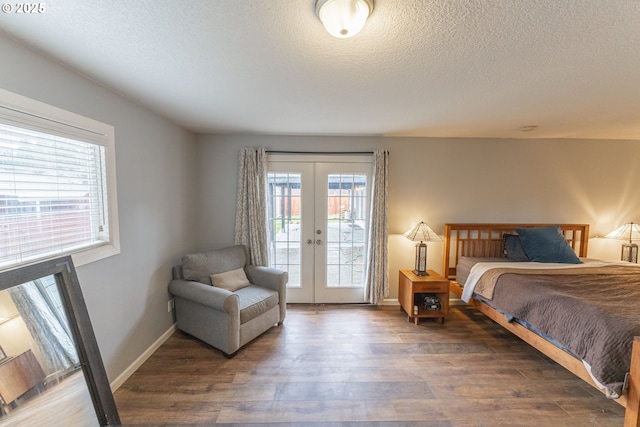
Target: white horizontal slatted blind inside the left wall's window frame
point(52, 195)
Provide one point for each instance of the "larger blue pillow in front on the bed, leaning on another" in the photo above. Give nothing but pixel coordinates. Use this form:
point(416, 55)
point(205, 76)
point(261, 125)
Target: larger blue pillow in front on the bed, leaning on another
point(547, 244)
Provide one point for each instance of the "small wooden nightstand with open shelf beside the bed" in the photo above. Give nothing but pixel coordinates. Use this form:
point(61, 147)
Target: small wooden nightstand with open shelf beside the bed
point(410, 284)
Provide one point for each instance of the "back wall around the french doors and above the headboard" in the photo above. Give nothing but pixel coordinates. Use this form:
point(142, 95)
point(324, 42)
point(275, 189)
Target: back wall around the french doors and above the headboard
point(456, 180)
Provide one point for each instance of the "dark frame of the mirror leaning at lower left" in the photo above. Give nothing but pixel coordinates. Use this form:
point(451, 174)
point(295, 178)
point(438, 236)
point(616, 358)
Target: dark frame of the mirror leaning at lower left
point(80, 325)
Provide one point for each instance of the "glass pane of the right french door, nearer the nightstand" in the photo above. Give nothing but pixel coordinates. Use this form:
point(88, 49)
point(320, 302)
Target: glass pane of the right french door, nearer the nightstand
point(346, 230)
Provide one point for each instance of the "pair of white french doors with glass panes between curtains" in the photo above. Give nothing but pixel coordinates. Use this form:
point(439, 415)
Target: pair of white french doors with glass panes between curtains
point(318, 212)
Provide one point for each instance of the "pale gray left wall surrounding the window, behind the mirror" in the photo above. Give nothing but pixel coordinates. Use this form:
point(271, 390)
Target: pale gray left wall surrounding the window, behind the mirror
point(126, 295)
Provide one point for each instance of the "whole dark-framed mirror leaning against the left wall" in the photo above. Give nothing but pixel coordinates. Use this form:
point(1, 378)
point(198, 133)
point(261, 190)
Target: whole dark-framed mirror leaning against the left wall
point(51, 371)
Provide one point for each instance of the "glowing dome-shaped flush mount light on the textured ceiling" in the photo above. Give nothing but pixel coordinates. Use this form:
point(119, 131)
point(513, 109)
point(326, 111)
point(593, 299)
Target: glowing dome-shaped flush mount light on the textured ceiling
point(343, 18)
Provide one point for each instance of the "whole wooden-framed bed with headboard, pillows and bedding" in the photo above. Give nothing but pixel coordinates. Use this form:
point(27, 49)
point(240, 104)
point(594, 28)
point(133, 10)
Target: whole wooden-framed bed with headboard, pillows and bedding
point(492, 278)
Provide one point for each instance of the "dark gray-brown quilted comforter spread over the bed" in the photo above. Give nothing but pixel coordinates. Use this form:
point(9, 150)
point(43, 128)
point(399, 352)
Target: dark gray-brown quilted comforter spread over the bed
point(594, 314)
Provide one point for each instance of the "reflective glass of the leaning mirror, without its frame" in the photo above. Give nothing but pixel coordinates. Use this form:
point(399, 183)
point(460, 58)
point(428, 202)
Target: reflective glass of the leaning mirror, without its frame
point(40, 373)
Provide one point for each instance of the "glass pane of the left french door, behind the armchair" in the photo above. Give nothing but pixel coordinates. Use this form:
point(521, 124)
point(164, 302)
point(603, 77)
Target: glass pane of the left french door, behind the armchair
point(284, 222)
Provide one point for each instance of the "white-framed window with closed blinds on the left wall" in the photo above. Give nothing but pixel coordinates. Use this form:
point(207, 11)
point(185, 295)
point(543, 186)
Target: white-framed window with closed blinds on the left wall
point(55, 187)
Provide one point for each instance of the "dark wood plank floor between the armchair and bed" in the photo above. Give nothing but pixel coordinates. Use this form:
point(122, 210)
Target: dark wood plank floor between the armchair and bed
point(361, 365)
